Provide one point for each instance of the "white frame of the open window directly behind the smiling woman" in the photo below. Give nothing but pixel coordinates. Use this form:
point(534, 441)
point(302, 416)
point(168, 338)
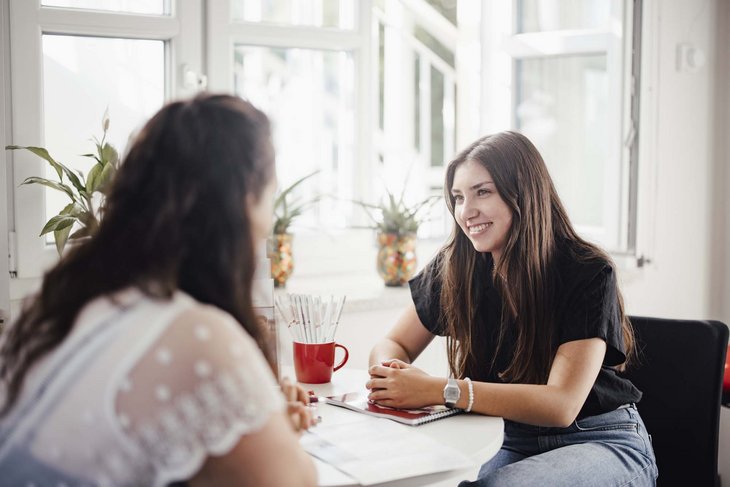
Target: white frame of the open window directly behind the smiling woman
point(501, 47)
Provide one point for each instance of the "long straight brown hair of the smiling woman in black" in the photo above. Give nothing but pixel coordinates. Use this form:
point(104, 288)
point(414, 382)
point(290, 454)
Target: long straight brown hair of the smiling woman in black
point(525, 275)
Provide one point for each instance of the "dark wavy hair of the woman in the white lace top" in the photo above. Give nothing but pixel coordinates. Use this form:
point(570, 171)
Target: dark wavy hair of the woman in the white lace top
point(175, 219)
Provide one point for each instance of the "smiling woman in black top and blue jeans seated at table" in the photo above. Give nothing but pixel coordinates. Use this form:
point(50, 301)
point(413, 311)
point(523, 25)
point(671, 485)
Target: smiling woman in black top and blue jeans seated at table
point(535, 328)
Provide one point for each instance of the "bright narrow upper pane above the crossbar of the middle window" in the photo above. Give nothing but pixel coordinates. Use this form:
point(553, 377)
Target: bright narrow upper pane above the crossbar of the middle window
point(315, 13)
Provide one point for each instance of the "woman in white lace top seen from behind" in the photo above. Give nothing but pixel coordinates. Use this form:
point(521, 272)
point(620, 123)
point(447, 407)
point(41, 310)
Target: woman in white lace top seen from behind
point(140, 362)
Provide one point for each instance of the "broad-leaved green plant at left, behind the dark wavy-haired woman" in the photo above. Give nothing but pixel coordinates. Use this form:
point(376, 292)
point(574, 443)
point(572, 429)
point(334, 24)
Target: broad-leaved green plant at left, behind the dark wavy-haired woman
point(86, 193)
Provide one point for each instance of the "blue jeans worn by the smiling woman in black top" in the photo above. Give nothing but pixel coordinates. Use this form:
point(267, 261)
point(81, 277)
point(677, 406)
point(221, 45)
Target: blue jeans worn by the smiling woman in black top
point(610, 449)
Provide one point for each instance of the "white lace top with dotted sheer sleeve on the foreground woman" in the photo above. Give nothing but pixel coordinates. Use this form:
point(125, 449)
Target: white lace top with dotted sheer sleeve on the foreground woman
point(140, 393)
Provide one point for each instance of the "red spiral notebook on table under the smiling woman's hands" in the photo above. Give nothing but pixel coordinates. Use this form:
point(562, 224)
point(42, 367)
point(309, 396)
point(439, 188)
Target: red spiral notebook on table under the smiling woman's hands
point(358, 401)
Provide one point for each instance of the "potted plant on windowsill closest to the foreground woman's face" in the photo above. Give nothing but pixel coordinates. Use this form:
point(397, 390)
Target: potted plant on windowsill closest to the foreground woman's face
point(286, 209)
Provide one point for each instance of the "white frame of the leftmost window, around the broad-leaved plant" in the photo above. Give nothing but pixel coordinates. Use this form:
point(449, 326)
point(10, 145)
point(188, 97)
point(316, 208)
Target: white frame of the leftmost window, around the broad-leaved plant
point(181, 31)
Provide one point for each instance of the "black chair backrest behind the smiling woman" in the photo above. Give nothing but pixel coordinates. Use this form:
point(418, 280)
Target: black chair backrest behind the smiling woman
point(680, 371)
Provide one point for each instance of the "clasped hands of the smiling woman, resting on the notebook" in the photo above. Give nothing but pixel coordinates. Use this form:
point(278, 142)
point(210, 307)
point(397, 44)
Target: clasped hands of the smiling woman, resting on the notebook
point(397, 384)
